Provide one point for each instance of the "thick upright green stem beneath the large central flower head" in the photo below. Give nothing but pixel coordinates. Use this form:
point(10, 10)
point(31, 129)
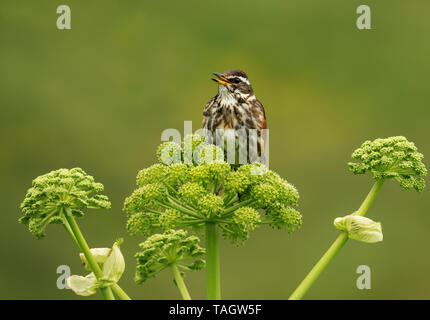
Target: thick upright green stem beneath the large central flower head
point(213, 283)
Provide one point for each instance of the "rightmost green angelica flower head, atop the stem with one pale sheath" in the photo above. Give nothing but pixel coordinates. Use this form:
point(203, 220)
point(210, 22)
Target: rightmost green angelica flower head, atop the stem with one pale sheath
point(393, 157)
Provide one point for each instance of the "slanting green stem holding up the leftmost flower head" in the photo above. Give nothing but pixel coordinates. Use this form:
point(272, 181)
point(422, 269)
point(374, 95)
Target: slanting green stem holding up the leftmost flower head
point(82, 243)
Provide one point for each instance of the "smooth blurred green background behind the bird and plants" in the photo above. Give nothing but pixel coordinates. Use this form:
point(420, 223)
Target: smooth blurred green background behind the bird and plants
point(98, 96)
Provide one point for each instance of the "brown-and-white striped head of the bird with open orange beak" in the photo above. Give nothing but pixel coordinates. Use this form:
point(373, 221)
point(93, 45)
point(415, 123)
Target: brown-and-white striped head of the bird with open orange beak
point(233, 81)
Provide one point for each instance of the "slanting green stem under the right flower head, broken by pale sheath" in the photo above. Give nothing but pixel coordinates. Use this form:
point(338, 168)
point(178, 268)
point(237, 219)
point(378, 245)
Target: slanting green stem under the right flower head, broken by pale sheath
point(334, 248)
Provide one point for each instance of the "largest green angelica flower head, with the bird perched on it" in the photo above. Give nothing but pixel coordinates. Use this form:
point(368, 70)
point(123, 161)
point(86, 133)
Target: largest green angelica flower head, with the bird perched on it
point(190, 188)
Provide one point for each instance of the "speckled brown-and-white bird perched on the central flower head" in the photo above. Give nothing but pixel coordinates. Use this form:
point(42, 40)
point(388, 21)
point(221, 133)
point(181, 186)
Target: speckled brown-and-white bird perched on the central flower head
point(235, 113)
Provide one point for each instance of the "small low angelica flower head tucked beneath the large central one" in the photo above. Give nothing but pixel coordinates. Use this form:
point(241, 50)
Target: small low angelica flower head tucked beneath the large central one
point(161, 251)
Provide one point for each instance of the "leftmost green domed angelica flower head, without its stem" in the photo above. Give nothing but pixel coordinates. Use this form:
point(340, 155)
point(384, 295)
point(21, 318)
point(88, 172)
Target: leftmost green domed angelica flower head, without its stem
point(53, 193)
